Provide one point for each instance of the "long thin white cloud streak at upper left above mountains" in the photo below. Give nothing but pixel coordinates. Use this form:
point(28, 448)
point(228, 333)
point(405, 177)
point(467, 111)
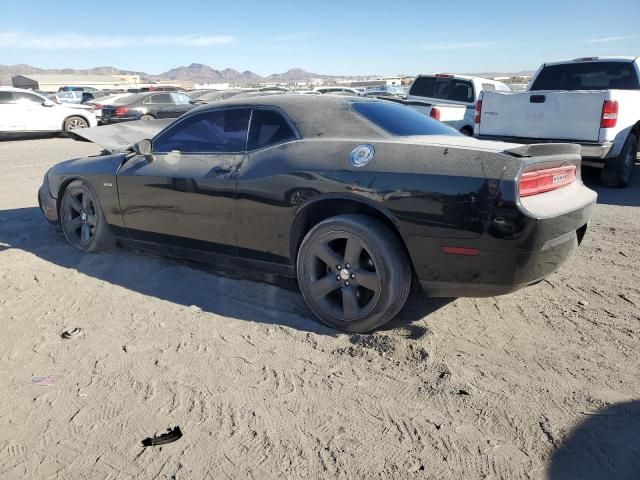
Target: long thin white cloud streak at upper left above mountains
point(78, 41)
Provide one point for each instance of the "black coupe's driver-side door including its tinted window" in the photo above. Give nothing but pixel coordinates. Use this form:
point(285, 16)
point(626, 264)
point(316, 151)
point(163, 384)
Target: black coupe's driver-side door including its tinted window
point(184, 196)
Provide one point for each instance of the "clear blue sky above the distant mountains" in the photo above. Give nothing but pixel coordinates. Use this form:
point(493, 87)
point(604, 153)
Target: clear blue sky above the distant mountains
point(347, 37)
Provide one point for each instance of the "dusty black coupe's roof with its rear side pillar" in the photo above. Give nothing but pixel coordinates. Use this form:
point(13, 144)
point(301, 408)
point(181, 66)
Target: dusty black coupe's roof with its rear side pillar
point(315, 116)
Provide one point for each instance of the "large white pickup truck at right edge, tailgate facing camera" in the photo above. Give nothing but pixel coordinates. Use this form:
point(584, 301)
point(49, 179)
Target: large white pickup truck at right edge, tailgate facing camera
point(593, 101)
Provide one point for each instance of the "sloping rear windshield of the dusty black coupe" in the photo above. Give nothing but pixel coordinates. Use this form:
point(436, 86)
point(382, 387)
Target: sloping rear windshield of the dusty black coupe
point(401, 121)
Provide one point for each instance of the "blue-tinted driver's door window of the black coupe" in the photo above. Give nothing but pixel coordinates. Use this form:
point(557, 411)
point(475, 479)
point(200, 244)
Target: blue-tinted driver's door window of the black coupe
point(222, 131)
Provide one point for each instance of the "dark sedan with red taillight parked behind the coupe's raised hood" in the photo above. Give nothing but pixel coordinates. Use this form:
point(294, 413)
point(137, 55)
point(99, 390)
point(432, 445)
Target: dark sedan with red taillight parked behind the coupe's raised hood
point(147, 106)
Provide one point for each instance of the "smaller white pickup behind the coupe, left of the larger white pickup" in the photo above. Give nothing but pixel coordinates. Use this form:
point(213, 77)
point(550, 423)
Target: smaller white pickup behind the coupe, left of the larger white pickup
point(454, 97)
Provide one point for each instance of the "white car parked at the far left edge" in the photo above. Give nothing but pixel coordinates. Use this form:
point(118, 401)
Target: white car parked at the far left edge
point(27, 111)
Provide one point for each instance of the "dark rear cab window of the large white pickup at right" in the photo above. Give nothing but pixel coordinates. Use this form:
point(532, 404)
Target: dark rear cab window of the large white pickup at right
point(587, 76)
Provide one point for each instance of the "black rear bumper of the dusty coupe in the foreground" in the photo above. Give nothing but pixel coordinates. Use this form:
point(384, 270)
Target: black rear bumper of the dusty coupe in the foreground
point(517, 251)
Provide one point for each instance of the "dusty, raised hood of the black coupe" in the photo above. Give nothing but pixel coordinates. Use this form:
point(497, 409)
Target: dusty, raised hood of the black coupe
point(120, 136)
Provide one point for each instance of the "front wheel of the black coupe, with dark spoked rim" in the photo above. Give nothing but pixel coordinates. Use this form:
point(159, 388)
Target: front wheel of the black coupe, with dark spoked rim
point(83, 222)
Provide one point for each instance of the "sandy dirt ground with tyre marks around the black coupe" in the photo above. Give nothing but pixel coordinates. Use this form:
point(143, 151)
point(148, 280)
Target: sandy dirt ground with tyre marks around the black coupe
point(540, 384)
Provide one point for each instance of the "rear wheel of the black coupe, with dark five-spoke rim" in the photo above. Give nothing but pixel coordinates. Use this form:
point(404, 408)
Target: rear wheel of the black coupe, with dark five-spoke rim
point(353, 272)
